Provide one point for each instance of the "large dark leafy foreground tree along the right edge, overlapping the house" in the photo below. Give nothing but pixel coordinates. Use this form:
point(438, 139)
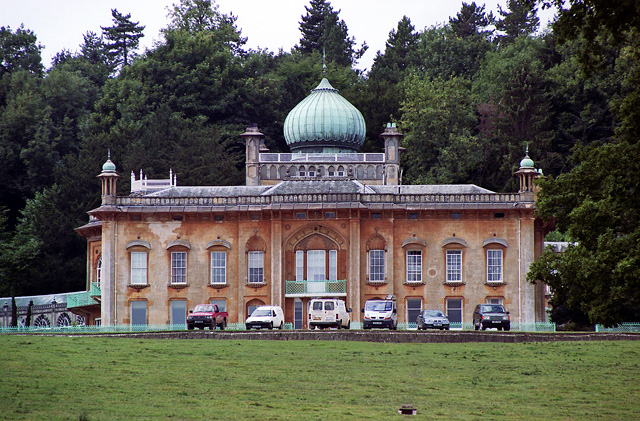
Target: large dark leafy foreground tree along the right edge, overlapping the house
point(597, 203)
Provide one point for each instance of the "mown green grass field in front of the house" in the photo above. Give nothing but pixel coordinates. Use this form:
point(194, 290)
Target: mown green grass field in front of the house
point(89, 378)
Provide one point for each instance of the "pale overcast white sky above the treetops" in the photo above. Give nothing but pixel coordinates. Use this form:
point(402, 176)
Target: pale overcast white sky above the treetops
point(270, 24)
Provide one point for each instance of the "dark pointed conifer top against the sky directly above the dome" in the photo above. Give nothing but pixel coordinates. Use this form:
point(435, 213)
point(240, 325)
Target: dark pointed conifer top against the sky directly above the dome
point(323, 31)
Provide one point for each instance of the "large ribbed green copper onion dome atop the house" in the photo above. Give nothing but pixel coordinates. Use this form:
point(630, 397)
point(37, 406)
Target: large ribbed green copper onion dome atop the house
point(324, 122)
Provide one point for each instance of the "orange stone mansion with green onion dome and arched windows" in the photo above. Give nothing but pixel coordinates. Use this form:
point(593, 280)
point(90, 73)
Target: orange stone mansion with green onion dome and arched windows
point(321, 221)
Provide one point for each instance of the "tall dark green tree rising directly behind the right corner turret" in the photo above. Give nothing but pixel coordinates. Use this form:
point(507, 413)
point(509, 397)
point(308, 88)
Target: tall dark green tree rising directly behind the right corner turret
point(513, 89)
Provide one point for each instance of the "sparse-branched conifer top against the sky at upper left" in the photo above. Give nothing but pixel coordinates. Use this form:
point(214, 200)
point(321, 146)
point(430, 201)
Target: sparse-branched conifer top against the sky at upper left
point(123, 38)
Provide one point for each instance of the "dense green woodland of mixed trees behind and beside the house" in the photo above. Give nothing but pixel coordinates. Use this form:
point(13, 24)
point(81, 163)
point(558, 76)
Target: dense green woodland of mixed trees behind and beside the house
point(469, 96)
